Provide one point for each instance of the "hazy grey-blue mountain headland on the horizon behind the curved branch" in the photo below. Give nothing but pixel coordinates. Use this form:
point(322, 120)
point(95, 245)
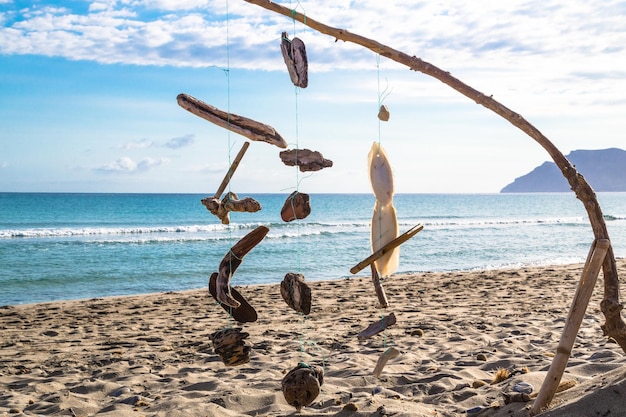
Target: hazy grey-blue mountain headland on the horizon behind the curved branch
point(604, 170)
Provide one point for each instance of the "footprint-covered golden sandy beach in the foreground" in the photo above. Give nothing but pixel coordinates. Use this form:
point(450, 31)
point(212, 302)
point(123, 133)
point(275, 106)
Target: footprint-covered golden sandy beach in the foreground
point(152, 355)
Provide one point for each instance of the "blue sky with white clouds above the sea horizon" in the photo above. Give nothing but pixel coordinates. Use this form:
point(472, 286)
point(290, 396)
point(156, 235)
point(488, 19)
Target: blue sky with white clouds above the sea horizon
point(88, 92)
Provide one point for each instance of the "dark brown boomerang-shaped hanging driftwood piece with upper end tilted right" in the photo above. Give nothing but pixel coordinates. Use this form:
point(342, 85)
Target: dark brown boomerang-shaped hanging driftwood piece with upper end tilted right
point(231, 262)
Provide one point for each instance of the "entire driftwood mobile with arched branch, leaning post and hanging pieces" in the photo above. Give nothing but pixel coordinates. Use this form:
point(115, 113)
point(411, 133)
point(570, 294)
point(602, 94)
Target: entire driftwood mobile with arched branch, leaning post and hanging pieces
point(230, 342)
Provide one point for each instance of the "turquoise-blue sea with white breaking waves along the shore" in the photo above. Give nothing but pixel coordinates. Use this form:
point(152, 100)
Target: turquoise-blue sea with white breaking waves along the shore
point(56, 246)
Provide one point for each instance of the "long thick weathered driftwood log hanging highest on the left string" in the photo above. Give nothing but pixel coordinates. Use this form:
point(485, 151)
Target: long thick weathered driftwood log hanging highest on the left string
point(249, 128)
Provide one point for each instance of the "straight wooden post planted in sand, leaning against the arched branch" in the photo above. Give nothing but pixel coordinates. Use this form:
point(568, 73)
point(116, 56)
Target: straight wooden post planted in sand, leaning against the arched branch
point(597, 253)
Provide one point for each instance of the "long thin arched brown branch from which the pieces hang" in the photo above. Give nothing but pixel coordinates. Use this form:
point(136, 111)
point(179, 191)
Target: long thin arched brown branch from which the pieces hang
point(614, 326)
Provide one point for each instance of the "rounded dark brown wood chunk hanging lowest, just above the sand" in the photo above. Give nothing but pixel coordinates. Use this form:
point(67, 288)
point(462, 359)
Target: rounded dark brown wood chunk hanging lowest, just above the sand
point(302, 385)
